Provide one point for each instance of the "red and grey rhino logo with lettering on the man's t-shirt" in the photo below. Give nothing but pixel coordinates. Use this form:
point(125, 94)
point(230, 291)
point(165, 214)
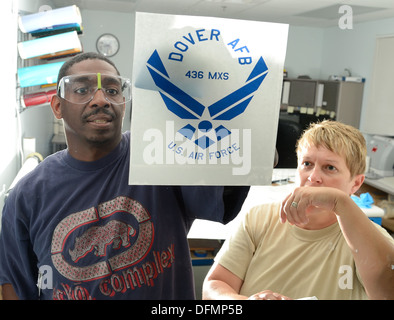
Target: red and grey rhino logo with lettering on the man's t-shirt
point(96, 243)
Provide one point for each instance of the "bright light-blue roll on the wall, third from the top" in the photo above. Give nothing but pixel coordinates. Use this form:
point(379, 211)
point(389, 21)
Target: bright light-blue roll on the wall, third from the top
point(39, 75)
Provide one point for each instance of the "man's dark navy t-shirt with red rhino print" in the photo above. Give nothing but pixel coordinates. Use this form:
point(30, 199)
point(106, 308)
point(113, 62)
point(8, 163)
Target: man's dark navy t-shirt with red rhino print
point(90, 235)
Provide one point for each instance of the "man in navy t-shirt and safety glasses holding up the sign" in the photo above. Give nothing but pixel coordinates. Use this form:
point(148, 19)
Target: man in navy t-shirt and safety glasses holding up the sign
point(74, 229)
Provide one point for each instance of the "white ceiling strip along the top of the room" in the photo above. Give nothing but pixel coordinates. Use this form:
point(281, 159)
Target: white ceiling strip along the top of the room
point(312, 13)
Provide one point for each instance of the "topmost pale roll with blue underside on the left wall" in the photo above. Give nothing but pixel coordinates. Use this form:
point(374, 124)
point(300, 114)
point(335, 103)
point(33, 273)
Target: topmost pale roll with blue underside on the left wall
point(56, 20)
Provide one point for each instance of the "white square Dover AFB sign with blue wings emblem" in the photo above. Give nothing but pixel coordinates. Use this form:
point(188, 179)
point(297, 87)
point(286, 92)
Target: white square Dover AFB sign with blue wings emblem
point(206, 99)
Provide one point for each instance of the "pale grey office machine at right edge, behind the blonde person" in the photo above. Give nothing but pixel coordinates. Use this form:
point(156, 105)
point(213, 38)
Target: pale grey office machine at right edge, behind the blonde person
point(380, 151)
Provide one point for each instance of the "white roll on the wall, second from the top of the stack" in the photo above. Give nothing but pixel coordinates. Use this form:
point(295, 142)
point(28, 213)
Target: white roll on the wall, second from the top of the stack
point(50, 46)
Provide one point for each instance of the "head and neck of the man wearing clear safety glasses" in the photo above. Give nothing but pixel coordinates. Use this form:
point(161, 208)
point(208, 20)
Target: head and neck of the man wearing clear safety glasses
point(92, 106)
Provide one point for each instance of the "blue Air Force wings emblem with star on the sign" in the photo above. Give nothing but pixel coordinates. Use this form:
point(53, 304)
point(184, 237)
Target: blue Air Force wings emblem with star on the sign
point(186, 107)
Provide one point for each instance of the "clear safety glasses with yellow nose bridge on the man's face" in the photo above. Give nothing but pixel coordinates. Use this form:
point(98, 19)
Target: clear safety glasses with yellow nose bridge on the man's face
point(81, 88)
